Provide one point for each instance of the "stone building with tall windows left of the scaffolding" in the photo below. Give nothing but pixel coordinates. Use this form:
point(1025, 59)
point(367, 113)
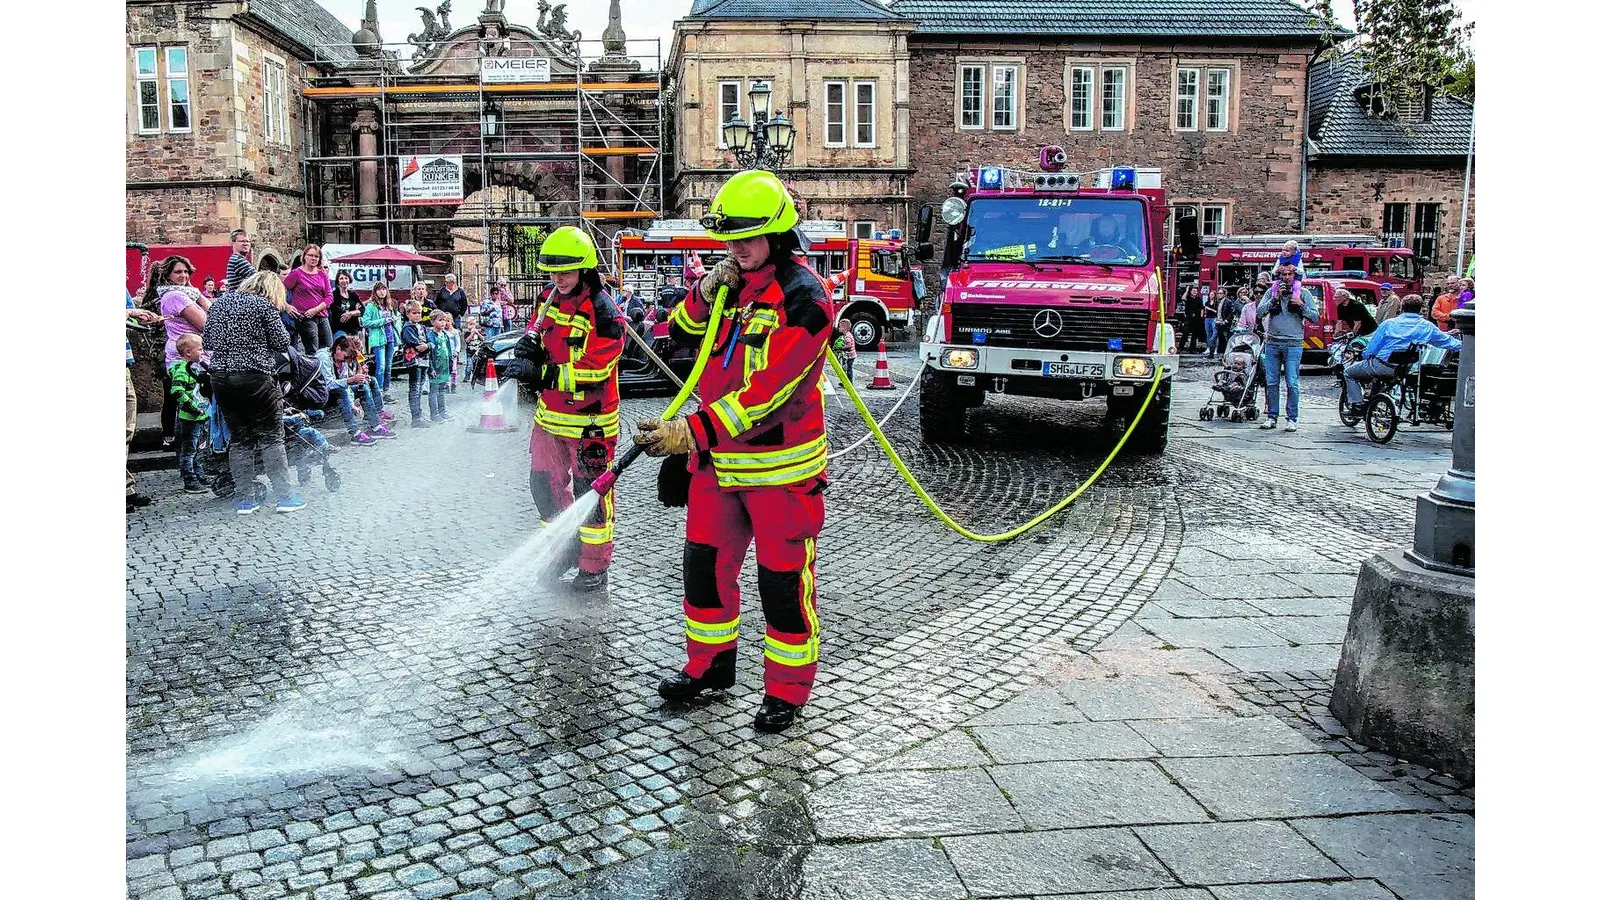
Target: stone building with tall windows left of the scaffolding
point(215, 129)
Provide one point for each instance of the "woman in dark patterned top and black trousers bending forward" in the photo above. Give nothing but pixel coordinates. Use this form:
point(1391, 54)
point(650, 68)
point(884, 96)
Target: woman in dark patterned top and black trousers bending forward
point(246, 335)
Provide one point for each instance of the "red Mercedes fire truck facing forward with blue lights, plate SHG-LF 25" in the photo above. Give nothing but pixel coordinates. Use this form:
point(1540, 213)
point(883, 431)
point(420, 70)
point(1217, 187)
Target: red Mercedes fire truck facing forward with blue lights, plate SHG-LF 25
point(1052, 294)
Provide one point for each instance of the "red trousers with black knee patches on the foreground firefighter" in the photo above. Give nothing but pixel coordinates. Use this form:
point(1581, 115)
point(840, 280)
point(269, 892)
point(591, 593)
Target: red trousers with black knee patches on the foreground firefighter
point(785, 523)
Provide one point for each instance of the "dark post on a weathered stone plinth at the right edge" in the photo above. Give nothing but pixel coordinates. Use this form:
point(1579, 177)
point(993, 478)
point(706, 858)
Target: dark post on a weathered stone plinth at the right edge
point(1406, 673)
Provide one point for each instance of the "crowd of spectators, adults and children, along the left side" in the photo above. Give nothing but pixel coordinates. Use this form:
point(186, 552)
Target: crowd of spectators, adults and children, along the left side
point(228, 355)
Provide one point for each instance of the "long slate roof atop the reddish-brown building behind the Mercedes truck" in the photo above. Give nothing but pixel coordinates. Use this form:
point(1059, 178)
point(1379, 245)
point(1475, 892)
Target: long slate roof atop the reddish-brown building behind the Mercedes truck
point(1094, 18)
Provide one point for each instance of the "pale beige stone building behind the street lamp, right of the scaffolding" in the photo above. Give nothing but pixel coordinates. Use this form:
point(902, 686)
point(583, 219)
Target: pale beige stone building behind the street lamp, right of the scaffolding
point(839, 70)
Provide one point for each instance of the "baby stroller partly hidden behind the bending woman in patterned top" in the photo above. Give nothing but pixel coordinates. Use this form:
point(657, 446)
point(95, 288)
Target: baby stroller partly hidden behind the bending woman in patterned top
point(305, 393)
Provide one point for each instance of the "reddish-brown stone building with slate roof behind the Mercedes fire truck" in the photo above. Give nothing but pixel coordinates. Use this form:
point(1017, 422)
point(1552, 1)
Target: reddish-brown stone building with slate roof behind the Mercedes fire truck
point(1212, 94)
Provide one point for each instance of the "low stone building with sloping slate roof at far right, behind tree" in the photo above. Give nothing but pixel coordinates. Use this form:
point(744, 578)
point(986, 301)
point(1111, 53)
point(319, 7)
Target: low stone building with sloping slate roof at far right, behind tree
point(1391, 172)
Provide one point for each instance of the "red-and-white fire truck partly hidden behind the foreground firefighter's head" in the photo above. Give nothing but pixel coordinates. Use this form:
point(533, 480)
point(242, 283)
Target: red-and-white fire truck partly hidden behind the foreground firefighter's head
point(881, 289)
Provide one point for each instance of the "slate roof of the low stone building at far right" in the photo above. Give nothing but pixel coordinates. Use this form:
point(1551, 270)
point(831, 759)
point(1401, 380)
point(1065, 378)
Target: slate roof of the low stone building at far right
point(1342, 127)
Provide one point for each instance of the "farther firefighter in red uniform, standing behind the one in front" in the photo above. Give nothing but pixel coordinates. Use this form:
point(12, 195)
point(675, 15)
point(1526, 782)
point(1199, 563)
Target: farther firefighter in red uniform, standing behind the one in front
point(570, 352)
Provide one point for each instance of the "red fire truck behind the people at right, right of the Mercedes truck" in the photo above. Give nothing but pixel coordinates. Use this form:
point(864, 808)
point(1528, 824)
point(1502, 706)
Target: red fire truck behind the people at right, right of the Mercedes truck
point(1231, 260)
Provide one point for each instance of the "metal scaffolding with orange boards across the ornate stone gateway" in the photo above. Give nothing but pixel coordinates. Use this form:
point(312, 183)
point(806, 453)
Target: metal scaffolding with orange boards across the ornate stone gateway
point(582, 148)
